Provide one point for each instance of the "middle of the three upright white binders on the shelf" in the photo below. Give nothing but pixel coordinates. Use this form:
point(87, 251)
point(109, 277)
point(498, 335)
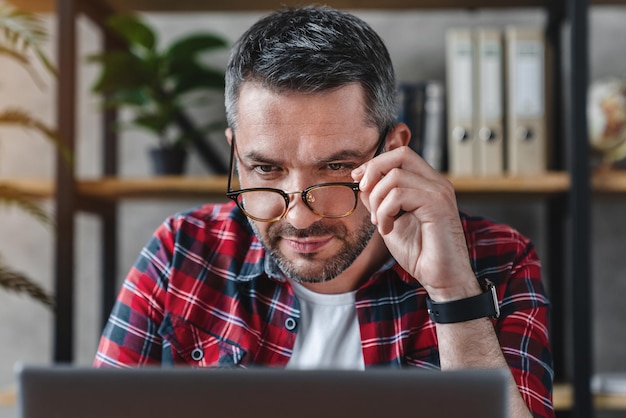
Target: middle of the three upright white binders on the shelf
point(489, 96)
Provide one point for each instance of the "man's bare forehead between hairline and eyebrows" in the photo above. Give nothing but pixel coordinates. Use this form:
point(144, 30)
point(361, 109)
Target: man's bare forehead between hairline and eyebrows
point(302, 122)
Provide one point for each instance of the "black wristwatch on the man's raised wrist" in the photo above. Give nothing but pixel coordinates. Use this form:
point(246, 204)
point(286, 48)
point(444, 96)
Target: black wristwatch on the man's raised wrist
point(480, 306)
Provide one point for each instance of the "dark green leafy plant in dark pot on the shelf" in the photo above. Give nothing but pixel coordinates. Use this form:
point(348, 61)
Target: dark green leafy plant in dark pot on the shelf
point(156, 85)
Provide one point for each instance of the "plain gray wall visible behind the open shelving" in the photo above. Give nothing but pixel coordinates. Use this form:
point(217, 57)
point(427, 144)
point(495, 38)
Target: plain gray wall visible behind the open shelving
point(416, 43)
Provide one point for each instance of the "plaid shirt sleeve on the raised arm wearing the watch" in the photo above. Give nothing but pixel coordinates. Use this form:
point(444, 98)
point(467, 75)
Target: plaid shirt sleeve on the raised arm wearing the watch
point(510, 261)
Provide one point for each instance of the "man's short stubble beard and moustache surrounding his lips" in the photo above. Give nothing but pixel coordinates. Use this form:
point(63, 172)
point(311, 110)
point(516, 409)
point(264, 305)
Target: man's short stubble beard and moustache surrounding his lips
point(307, 268)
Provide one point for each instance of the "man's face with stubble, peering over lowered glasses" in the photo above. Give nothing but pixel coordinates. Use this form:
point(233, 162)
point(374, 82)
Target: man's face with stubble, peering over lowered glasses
point(291, 141)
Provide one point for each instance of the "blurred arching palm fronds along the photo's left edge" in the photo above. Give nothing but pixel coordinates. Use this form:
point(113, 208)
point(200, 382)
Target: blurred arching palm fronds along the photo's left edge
point(21, 37)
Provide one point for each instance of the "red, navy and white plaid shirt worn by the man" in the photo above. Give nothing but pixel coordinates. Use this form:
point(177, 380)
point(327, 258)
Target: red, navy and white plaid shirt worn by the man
point(199, 295)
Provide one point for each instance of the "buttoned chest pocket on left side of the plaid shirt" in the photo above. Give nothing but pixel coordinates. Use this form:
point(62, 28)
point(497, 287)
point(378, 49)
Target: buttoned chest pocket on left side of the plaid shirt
point(197, 347)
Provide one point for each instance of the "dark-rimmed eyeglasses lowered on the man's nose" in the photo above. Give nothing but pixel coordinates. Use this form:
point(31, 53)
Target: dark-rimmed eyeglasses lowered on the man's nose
point(327, 200)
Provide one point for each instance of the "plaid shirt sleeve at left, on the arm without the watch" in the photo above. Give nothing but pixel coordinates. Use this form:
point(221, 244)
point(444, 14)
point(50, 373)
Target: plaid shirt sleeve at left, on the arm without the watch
point(130, 337)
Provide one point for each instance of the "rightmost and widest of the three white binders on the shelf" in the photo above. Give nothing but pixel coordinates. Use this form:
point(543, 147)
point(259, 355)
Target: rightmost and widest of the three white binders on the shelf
point(526, 140)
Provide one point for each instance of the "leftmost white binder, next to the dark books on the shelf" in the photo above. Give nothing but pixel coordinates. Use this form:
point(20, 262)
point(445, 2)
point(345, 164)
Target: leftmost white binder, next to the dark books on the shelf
point(459, 79)
